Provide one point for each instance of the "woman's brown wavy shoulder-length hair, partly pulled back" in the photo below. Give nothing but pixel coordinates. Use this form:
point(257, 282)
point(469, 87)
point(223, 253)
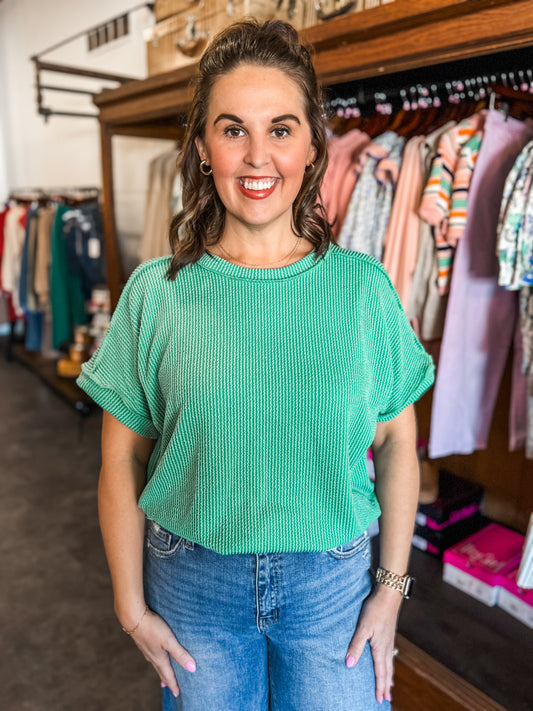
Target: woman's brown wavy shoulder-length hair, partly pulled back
point(201, 221)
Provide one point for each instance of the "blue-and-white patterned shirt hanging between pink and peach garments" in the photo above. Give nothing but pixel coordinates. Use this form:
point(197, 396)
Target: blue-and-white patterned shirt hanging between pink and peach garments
point(370, 205)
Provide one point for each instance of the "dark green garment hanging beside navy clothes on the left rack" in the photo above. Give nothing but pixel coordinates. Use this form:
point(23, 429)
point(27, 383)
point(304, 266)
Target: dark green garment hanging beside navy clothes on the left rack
point(66, 294)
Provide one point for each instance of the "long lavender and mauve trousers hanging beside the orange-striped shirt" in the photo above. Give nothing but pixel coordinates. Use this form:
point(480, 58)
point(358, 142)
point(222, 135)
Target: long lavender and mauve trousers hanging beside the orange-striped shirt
point(482, 318)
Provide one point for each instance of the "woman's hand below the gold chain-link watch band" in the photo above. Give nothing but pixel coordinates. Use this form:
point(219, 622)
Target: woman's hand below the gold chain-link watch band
point(377, 625)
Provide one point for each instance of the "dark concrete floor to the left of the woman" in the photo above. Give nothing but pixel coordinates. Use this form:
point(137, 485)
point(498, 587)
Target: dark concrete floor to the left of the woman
point(62, 648)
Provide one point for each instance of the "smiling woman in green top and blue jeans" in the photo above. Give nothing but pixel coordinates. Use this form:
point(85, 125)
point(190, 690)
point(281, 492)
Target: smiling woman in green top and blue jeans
point(242, 382)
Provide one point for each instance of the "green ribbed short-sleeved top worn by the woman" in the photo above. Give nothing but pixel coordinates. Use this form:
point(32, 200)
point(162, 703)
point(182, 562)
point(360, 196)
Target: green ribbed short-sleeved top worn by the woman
point(263, 388)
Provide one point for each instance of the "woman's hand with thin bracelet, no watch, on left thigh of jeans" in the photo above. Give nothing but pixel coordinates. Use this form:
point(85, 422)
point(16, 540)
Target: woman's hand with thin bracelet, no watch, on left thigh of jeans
point(156, 641)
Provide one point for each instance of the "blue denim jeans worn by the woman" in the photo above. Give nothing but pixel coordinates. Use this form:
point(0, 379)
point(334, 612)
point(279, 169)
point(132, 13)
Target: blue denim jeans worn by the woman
point(267, 631)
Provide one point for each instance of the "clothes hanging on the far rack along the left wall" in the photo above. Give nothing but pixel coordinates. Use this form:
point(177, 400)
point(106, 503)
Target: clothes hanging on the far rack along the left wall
point(52, 257)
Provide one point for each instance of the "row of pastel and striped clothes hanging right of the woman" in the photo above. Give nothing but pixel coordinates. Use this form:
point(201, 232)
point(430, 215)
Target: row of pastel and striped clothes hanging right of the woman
point(445, 203)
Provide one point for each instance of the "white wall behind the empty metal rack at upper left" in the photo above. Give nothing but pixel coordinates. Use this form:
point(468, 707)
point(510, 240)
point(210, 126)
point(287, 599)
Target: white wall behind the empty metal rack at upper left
point(66, 151)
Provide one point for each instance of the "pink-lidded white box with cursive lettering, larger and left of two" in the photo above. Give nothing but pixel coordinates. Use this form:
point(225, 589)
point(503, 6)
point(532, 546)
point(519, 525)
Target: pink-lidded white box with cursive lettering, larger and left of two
point(477, 564)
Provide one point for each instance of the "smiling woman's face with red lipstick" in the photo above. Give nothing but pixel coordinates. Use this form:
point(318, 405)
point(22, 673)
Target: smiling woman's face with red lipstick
point(258, 143)
